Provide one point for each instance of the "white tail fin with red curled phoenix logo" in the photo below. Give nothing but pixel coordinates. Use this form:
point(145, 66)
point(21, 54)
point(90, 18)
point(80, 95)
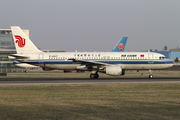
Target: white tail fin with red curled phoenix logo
point(22, 43)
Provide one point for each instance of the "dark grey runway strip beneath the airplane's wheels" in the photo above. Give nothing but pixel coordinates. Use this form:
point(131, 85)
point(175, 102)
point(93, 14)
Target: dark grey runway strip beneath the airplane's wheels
point(34, 81)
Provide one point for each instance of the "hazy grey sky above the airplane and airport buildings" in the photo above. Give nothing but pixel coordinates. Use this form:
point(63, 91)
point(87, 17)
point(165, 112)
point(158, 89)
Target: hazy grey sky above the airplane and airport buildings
point(95, 25)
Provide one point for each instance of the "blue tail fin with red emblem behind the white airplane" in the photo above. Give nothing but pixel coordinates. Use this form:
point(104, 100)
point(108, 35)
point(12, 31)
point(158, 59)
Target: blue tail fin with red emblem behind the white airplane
point(121, 45)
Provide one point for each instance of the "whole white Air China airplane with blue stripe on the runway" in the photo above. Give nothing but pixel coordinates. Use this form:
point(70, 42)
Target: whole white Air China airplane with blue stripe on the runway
point(110, 63)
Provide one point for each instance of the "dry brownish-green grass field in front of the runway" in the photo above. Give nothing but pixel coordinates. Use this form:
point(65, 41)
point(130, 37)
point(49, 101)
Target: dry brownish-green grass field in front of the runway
point(91, 101)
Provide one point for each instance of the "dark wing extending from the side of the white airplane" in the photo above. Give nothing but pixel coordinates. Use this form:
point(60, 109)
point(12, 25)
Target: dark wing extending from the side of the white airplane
point(89, 63)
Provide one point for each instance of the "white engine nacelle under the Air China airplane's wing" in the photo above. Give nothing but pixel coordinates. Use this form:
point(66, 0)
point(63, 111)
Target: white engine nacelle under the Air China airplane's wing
point(114, 70)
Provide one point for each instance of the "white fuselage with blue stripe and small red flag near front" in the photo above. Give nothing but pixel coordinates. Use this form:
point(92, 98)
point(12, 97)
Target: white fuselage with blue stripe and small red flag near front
point(127, 60)
